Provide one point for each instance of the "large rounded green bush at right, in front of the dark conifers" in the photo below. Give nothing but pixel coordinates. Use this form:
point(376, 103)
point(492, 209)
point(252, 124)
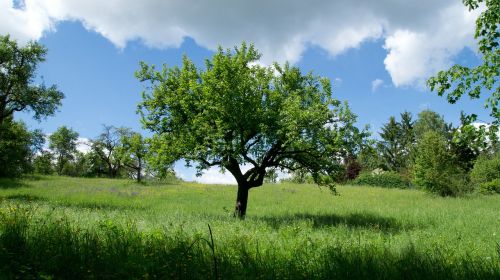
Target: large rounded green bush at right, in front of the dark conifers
point(435, 168)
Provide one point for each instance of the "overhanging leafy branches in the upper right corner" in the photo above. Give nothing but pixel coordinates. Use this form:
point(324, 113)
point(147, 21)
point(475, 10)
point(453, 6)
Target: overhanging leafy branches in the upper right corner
point(482, 79)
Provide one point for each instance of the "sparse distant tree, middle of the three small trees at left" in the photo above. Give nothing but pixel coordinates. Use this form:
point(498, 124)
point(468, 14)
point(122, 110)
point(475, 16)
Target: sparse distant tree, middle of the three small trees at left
point(106, 146)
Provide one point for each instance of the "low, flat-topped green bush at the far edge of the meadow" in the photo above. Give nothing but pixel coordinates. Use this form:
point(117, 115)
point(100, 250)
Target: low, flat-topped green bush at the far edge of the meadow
point(385, 180)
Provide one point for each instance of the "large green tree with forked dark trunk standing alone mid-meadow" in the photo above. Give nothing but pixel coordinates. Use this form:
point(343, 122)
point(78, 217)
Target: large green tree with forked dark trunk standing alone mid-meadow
point(235, 113)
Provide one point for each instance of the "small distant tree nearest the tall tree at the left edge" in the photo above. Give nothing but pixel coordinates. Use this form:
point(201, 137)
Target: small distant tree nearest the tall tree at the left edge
point(63, 144)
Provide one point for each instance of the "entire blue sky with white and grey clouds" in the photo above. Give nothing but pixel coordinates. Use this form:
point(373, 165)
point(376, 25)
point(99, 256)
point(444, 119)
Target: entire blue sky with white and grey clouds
point(378, 54)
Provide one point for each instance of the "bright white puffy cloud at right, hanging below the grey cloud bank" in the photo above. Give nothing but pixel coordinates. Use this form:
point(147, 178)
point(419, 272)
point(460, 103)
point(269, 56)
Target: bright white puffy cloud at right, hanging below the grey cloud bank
point(414, 55)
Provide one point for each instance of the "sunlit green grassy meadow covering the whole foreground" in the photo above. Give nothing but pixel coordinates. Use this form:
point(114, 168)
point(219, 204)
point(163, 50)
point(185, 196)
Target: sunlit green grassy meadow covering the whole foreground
point(69, 228)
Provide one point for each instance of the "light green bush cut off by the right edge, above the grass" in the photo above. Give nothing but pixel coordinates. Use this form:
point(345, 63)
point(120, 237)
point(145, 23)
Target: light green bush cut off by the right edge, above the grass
point(485, 170)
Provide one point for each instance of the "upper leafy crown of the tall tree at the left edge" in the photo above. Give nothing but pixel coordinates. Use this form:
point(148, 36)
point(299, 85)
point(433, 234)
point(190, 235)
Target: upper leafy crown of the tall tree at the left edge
point(17, 71)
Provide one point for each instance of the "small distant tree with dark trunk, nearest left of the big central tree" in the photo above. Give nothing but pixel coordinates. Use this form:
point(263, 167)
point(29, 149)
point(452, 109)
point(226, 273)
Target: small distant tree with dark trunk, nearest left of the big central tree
point(133, 153)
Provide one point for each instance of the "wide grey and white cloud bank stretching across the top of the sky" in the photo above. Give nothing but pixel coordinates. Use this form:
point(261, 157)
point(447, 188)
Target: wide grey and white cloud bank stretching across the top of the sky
point(420, 37)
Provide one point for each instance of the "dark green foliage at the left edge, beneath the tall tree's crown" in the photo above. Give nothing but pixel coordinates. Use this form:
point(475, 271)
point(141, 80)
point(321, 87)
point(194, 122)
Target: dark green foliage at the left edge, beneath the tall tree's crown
point(15, 149)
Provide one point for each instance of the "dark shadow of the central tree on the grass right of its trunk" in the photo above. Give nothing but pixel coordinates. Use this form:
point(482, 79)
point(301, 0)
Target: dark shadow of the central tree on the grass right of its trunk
point(365, 220)
